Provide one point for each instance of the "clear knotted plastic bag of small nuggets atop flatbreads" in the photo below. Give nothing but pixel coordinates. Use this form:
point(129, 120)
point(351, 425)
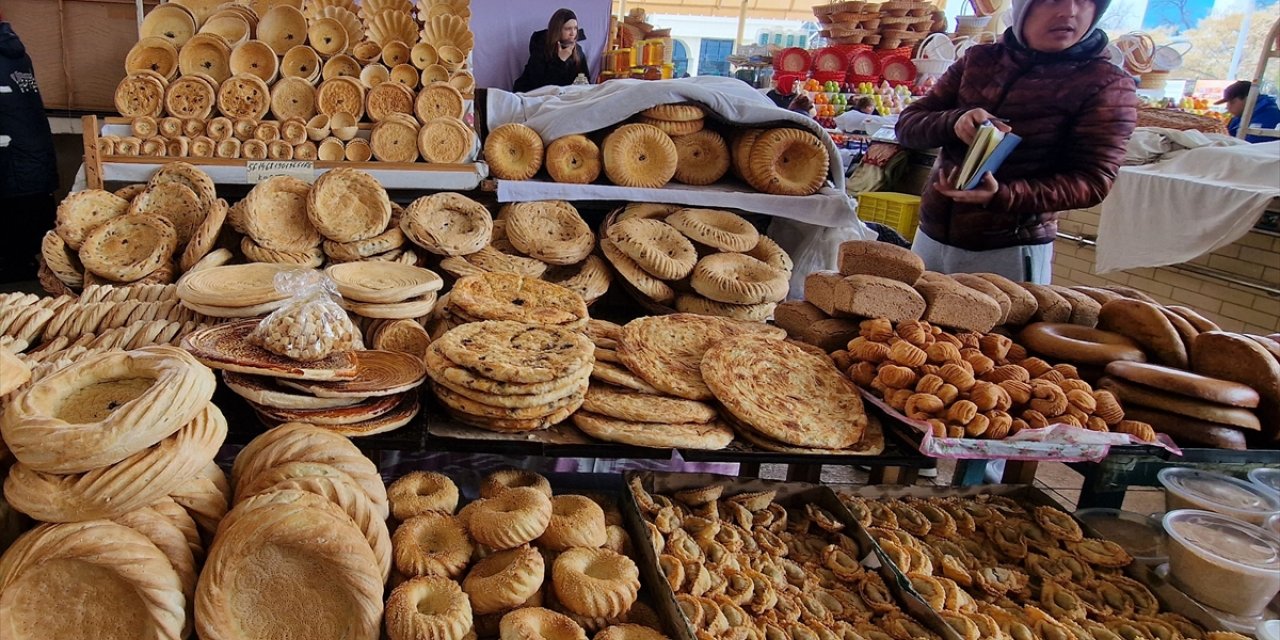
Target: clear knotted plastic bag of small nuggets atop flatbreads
point(312, 324)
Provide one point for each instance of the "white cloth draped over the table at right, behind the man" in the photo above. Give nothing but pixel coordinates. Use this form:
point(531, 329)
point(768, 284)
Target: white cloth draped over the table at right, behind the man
point(1178, 211)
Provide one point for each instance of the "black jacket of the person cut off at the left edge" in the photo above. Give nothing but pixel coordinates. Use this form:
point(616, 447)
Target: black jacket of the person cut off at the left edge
point(28, 164)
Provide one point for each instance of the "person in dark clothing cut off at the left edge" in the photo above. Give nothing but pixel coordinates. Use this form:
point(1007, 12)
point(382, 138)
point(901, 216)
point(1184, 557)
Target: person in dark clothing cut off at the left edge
point(29, 166)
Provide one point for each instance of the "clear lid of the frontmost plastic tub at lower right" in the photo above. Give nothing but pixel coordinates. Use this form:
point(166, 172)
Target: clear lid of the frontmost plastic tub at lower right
point(1224, 540)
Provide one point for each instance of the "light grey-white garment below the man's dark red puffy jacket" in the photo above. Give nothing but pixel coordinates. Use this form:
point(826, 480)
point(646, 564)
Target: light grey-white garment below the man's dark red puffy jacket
point(1025, 263)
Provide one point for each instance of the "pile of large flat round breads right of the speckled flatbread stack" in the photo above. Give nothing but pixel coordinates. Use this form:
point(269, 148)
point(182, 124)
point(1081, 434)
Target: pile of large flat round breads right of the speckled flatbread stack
point(665, 382)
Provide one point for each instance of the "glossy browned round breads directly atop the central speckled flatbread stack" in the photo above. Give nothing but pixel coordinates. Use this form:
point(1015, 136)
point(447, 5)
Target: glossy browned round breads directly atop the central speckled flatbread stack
point(500, 296)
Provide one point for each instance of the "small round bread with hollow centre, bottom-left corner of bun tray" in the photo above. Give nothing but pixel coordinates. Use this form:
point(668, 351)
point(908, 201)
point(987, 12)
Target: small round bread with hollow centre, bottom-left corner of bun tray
point(428, 609)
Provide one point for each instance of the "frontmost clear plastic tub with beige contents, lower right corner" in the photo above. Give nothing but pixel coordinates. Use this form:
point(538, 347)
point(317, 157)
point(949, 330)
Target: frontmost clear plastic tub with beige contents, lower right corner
point(1222, 563)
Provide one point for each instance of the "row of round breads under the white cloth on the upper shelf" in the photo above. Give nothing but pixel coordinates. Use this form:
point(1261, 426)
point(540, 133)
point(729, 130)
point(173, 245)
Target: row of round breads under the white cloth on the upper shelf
point(666, 143)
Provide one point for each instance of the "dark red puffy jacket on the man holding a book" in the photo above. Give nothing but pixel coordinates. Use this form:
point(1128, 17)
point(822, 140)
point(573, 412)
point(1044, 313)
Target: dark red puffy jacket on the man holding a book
point(1075, 111)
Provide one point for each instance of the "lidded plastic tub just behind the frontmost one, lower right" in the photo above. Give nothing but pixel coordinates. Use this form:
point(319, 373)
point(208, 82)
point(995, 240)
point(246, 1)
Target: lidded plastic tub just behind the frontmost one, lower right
point(1220, 493)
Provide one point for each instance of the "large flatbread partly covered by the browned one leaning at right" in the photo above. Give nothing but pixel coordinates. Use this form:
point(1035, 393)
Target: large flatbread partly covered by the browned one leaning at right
point(668, 351)
